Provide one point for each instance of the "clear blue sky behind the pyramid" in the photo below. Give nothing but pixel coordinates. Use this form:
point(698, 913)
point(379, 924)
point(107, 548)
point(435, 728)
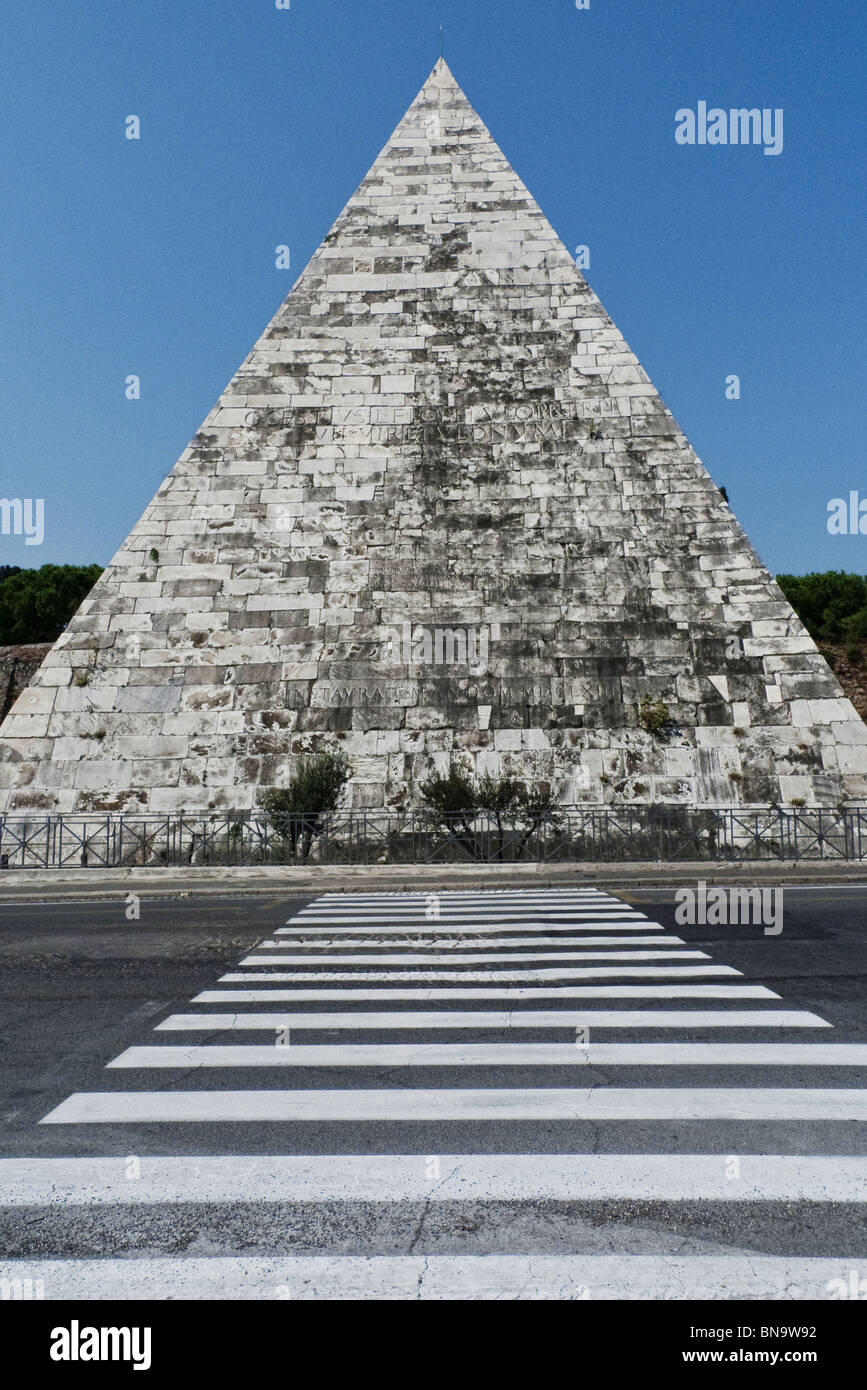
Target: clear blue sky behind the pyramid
point(156, 258)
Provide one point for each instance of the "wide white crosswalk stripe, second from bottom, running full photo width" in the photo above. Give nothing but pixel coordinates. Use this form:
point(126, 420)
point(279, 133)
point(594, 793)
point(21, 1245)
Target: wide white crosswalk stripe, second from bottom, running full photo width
point(394, 1178)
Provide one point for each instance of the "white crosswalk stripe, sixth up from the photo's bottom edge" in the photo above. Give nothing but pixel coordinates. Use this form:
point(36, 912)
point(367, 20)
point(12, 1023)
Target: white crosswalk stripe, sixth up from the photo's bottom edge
point(576, 992)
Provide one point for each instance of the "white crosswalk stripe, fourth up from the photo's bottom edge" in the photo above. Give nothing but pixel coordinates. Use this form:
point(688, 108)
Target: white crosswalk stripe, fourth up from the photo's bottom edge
point(501, 1054)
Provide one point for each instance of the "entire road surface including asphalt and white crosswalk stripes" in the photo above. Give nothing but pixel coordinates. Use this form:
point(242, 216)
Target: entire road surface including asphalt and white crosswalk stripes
point(518, 1095)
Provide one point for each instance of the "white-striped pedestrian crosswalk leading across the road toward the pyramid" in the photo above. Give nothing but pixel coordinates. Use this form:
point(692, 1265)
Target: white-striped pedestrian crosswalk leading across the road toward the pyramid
point(552, 1049)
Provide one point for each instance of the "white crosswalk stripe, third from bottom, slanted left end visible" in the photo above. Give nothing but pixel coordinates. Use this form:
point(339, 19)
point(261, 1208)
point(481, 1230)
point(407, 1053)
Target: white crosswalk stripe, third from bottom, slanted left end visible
point(575, 1104)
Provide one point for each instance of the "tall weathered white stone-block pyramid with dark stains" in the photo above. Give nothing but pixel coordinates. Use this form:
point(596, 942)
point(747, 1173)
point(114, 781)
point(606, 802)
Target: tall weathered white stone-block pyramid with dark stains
point(440, 511)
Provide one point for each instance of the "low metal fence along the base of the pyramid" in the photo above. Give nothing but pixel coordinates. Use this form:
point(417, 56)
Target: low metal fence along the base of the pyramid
point(370, 837)
